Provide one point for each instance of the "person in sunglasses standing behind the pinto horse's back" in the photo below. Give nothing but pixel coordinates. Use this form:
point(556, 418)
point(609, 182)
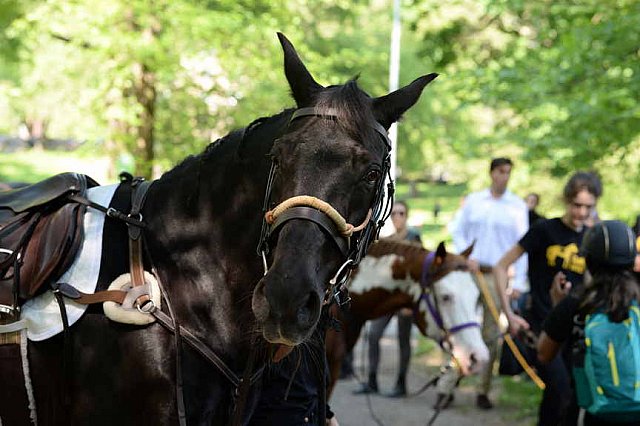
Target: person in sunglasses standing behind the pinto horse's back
point(399, 217)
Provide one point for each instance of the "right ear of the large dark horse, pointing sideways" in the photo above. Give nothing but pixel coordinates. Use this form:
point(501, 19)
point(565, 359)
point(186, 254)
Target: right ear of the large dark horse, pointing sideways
point(388, 109)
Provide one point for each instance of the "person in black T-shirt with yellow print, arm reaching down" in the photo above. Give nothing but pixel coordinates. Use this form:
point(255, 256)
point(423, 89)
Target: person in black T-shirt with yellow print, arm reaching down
point(552, 246)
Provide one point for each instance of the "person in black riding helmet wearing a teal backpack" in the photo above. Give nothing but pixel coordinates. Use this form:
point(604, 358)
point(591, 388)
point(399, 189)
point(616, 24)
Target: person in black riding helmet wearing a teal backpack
point(601, 312)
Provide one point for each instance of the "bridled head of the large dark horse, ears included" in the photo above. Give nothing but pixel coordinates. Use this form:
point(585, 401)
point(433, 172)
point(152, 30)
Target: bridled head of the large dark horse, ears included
point(331, 158)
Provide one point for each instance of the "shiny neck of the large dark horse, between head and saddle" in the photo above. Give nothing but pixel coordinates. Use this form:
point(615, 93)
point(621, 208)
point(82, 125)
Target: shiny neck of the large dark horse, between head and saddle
point(204, 224)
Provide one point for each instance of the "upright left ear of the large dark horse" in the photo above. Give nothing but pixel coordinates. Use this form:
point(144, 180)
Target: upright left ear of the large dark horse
point(303, 86)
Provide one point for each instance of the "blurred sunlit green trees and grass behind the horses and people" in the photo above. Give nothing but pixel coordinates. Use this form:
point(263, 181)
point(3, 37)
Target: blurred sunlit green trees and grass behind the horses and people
point(99, 87)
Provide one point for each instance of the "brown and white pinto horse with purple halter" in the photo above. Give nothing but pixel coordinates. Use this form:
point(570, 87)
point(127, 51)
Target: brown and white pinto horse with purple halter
point(435, 284)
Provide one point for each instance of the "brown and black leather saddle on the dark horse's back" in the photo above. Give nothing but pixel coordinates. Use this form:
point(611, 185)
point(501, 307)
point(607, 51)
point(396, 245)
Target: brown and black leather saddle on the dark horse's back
point(41, 230)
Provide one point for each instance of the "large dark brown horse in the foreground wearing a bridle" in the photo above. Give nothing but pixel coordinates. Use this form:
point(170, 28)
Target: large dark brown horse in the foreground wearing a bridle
point(243, 283)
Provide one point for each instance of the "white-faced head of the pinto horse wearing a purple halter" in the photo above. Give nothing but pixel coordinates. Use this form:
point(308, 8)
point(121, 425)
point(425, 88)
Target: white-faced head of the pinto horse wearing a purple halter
point(451, 309)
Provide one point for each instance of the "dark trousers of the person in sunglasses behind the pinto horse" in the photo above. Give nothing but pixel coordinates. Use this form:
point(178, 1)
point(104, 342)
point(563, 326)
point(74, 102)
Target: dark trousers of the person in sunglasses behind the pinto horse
point(376, 329)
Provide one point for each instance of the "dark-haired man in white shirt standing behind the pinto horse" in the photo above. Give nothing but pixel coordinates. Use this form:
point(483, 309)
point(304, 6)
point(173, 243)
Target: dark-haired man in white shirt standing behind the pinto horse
point(495, 219)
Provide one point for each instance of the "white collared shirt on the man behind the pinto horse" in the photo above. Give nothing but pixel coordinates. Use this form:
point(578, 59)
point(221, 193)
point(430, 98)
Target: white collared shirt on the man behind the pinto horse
point(496, 225)
